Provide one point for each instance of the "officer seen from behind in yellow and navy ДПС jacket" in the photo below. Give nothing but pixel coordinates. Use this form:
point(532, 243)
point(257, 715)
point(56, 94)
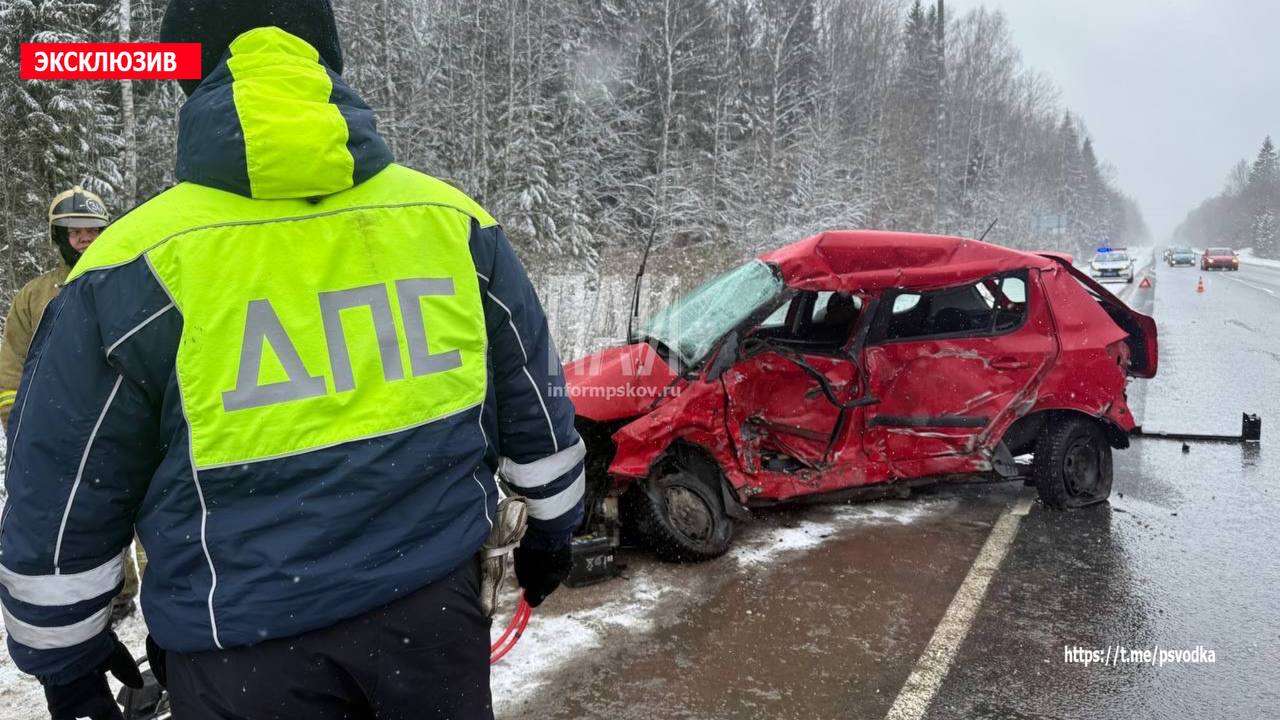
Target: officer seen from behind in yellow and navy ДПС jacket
point(295, 375)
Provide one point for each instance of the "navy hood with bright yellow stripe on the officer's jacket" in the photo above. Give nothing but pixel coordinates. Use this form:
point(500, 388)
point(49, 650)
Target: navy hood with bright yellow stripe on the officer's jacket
point(272, 122)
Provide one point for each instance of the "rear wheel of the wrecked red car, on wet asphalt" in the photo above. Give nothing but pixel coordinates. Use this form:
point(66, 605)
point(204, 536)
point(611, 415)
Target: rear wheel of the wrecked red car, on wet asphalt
point(1073, 464)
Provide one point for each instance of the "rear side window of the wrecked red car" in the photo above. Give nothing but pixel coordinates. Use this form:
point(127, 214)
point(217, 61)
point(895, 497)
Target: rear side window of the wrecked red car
point(991, 307)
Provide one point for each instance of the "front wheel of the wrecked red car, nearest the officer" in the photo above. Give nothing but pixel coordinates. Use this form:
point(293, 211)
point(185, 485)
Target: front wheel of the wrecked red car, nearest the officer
point(680, 516)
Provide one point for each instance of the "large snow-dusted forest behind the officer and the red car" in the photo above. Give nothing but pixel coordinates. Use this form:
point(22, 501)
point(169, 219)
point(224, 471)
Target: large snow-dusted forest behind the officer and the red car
point(588, 126)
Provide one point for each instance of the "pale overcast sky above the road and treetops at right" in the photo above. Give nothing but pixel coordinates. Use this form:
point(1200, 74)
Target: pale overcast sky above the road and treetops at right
point(1173, 92)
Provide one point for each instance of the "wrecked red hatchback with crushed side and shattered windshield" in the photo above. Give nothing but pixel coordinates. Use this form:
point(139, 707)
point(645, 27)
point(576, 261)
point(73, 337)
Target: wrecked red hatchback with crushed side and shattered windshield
point(849, 364)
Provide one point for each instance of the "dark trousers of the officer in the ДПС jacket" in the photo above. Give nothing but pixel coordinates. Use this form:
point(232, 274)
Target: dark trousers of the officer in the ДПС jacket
point(423, 657)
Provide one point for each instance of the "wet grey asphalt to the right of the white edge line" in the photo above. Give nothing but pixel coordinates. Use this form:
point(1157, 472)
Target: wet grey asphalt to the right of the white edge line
point(1185, 557)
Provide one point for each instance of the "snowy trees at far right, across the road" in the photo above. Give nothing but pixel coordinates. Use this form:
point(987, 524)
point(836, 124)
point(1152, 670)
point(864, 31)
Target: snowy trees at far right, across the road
point(1247, 212)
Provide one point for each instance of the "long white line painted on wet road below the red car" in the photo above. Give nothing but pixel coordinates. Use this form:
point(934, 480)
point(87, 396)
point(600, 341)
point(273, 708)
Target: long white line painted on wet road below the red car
point(932, 668)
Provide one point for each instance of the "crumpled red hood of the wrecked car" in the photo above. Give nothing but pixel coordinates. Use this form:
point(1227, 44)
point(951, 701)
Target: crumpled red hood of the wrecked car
point(620, 382)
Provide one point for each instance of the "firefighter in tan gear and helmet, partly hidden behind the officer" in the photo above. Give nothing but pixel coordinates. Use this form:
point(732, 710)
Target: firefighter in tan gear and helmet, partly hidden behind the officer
point(76, 218)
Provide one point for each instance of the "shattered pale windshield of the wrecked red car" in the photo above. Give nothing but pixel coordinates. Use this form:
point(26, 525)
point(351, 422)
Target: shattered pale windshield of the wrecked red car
point(696, 322)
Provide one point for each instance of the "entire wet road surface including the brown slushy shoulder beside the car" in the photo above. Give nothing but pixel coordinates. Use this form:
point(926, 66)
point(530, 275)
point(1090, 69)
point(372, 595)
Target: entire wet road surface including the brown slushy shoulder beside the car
point(1186, 557)
